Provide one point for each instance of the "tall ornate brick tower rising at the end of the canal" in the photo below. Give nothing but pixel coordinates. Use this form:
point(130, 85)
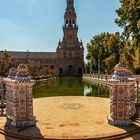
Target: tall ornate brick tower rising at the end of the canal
point(70, 50)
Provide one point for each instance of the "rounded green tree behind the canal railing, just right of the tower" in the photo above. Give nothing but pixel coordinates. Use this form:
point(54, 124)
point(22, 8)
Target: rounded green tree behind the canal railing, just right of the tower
point(104, 52)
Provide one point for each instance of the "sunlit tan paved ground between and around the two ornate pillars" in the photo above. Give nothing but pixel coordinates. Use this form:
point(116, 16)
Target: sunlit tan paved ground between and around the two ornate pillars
point(70, 117)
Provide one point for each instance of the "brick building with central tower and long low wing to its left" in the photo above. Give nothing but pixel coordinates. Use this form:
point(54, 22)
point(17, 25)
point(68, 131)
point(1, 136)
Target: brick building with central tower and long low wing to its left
point(69, 56)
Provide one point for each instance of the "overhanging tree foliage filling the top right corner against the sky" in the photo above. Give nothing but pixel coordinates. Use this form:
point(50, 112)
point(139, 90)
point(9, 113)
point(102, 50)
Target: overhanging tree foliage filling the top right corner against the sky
point(129, 20)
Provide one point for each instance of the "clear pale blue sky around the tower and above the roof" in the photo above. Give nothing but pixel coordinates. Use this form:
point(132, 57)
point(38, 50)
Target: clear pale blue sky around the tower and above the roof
point(36, 25)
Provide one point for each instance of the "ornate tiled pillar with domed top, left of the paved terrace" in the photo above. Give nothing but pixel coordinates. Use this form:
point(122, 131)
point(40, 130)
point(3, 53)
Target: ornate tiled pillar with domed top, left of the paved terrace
point(19, 101)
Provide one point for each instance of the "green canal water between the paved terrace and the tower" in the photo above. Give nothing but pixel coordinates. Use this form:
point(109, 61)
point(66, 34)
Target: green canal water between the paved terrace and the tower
point(69, 86)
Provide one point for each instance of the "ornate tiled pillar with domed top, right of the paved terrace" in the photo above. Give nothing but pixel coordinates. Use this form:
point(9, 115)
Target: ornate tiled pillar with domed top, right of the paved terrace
point(122, 97)
